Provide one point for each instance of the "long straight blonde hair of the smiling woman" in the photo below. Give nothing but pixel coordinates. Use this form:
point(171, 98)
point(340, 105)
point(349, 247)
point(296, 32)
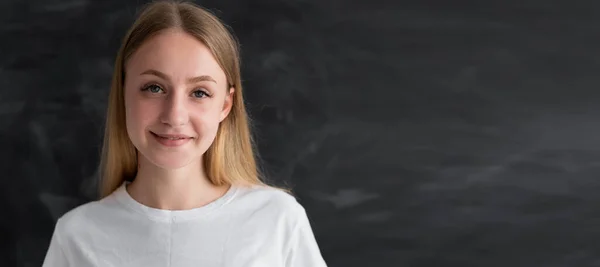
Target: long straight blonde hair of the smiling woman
point(231, 157)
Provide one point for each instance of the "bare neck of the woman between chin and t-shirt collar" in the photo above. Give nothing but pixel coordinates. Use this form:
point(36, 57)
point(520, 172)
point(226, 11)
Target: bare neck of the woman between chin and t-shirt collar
point(176, 189)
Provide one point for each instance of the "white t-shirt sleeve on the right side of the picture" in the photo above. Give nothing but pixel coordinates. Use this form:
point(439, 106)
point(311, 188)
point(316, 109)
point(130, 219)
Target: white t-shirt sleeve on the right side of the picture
point(303, 250)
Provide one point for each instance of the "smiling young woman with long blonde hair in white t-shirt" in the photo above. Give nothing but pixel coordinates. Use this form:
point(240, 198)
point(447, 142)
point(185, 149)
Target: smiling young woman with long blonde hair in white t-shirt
point(180, 185)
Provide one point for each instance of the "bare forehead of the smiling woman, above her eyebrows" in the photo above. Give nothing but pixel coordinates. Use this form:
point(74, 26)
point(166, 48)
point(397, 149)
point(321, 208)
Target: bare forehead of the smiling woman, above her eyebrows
point(177, 54)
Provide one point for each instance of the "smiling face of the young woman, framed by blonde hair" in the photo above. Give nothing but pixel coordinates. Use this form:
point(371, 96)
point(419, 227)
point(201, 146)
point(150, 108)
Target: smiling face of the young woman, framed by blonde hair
point(176, 94)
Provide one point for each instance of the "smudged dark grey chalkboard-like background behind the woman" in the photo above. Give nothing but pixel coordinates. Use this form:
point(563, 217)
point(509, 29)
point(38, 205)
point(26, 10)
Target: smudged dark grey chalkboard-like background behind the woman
point(415, 133)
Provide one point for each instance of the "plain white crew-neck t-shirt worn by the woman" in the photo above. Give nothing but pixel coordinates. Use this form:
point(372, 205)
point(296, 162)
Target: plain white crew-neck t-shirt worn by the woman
point(248, 227)
